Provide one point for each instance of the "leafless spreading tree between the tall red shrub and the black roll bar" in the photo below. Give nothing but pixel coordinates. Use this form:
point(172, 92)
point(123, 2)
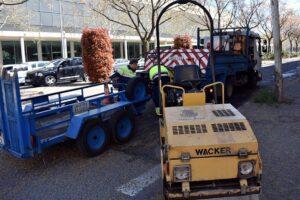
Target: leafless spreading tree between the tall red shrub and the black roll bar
point(139, 16)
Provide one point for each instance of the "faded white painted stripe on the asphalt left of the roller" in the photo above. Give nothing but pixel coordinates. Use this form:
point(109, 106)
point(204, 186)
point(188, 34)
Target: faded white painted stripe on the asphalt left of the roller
point(136, 185)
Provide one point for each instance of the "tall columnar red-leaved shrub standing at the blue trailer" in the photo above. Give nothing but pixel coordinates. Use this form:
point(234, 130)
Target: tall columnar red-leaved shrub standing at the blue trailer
point(97, 54)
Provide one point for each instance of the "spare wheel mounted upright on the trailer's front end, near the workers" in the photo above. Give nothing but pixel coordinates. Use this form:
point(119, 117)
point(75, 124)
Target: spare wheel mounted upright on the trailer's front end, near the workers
point(136, 89)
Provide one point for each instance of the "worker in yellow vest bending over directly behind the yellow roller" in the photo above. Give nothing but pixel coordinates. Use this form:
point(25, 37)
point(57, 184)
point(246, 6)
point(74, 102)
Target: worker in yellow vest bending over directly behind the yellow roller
point(165, 79)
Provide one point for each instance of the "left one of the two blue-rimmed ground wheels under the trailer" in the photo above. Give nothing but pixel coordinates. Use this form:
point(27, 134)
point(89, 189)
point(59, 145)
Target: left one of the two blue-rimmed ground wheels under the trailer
point(93, 139)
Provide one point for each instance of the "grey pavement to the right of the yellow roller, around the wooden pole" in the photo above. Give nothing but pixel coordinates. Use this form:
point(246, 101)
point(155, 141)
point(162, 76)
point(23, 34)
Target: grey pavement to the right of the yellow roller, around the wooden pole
point(277, 128)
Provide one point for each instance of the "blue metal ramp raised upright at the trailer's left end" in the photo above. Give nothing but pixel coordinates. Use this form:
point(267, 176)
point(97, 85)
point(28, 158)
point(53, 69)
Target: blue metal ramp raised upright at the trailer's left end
point(16, 139)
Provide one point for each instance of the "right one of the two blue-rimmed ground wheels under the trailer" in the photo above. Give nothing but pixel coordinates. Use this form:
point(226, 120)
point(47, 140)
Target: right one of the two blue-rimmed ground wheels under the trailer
point(123, 126)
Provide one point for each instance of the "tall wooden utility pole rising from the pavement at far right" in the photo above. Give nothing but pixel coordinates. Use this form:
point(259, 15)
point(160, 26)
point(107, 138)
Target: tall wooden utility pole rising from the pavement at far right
point(277, 50)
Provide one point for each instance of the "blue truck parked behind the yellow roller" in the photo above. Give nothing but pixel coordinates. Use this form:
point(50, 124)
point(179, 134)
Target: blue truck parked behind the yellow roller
point(238, 53)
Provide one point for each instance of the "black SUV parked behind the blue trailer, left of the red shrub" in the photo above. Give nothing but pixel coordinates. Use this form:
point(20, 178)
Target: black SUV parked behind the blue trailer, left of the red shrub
point(61, 70)
